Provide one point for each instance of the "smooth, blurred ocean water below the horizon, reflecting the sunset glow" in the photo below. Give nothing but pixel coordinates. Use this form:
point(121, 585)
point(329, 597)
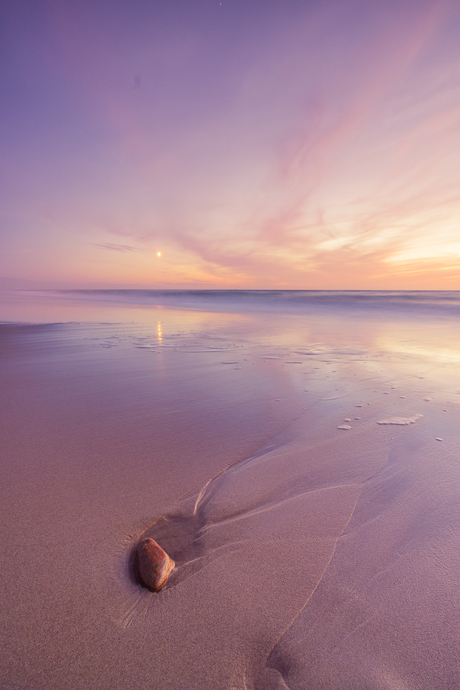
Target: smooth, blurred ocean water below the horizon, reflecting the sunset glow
point(409, 330)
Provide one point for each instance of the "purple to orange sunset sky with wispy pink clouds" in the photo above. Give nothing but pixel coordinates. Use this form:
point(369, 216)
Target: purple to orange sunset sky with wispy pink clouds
point(237, 144)
